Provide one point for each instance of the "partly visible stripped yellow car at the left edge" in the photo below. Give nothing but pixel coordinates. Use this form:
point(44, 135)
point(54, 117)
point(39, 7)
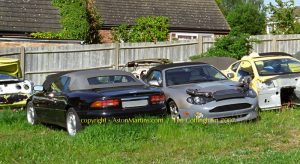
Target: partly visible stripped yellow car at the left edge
point(13, 90)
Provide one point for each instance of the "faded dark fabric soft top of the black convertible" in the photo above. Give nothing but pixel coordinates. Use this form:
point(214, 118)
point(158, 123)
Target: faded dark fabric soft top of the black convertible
point(79, 79)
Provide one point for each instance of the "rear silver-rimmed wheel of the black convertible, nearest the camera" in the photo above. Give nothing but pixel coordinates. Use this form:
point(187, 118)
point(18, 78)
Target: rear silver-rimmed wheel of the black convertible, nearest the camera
point(73, 122)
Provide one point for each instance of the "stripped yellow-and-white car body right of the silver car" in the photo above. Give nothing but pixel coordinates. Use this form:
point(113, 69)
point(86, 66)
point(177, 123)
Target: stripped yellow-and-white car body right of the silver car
point(275, 77)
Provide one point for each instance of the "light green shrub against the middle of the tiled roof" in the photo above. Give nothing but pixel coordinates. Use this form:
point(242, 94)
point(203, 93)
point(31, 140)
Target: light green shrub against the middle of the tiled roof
point(146, 29)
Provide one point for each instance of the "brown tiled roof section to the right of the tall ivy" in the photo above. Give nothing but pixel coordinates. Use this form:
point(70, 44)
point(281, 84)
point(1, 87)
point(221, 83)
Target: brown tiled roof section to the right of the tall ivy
point(185, 15)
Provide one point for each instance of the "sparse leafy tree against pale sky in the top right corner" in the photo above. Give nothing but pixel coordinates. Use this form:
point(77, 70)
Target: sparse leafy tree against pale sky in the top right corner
point(283, 17)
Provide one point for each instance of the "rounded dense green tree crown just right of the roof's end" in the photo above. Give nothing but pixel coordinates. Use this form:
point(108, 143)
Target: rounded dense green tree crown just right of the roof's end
point(248, 18)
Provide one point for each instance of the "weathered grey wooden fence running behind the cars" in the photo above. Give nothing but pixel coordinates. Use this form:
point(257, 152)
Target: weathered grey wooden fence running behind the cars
point(38, 62)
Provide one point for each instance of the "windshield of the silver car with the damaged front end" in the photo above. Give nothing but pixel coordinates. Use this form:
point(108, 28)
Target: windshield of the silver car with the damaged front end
point(193, 74)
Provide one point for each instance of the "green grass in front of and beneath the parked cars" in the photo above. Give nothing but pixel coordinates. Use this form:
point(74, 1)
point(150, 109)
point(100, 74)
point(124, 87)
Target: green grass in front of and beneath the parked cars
point(274, 138)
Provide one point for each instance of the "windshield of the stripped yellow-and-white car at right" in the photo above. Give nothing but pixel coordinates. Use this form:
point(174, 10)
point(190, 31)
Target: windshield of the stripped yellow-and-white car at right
point(277, 66)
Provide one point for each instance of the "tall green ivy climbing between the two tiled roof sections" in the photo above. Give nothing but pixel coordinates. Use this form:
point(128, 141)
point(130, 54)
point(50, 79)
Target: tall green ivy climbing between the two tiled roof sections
point(78, 21)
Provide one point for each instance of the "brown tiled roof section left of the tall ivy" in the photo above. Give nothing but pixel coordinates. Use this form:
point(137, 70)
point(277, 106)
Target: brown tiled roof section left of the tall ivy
point(28, 16)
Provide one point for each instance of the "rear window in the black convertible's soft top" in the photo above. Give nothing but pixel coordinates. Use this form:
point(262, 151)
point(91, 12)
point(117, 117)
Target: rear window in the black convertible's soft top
point(110, 79)
